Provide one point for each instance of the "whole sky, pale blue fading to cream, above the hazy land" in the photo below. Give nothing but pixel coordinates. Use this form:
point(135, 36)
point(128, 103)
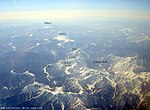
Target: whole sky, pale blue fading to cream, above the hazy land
point(26, 8)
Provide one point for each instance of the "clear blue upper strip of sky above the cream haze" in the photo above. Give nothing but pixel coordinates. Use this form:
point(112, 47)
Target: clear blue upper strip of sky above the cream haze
point(32, 5)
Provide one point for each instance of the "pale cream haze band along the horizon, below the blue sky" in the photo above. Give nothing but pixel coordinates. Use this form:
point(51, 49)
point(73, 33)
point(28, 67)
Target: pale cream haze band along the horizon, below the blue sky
point(76, 14)
